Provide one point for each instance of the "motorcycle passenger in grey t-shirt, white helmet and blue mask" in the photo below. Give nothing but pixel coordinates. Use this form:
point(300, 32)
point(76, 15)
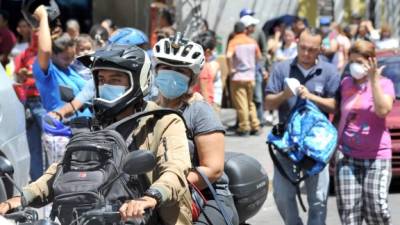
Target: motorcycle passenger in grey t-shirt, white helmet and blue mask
point(178, 64)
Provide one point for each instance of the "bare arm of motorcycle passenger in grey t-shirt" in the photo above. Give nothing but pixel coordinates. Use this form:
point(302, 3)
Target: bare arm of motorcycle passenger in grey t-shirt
point(210, 149)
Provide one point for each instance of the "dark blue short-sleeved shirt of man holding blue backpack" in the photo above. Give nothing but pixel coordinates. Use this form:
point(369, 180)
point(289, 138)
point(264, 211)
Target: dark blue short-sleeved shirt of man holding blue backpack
point(324, 82)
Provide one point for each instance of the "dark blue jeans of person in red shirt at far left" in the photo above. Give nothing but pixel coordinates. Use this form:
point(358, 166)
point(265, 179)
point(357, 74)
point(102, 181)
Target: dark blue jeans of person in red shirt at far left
point(34, 135)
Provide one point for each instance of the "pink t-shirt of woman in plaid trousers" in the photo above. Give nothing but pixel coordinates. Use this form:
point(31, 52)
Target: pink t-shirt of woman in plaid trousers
point(363, 135)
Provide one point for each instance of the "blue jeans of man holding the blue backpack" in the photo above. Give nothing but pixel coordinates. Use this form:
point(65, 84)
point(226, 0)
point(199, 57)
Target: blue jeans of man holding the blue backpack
point(285, 195)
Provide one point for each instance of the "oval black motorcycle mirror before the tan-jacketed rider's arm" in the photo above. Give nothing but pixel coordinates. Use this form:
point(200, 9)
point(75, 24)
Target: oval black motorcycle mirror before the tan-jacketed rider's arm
point(139, 162)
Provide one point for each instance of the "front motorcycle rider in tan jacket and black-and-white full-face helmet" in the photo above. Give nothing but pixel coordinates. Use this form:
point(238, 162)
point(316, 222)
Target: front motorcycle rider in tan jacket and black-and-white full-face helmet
point(122, 79)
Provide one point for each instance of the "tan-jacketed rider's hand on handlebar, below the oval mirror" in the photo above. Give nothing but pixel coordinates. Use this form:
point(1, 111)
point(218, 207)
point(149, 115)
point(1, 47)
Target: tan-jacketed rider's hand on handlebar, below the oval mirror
point(135, 208)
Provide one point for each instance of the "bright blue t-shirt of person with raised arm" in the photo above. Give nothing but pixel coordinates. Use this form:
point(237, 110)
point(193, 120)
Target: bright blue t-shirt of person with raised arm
point(49, 85)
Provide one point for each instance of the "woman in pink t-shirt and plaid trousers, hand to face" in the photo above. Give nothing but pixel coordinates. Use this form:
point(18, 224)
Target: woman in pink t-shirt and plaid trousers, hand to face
point(363, 167)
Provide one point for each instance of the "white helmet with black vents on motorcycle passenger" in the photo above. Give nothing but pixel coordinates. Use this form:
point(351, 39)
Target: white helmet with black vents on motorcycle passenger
point(178, 52)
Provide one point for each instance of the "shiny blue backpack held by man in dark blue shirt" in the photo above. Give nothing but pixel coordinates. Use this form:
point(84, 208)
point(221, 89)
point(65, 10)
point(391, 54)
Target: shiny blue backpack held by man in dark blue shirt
point(308, 139)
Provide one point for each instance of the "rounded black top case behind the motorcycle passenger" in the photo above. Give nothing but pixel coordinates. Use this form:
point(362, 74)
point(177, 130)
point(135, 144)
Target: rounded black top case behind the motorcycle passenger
point(248, 182)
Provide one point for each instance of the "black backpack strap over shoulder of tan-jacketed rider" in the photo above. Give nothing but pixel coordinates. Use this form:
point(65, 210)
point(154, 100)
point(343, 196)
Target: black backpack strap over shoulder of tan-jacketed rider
point(126, 125)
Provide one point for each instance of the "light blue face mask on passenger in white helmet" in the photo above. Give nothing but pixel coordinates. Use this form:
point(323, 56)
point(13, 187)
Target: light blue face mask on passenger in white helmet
point(172, 84)
